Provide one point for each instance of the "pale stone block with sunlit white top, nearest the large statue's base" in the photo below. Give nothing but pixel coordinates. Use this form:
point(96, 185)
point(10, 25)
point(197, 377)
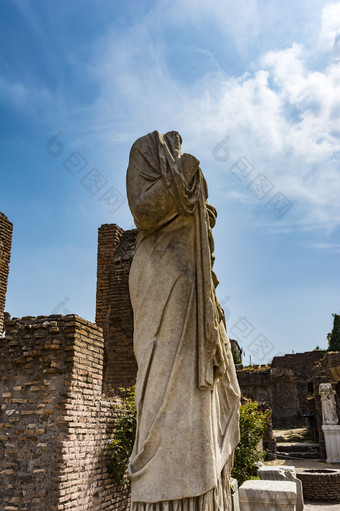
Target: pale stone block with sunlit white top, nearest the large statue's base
point(267, 495)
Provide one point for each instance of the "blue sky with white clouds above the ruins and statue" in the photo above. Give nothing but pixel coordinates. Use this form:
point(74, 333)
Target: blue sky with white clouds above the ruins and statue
point(254, 89)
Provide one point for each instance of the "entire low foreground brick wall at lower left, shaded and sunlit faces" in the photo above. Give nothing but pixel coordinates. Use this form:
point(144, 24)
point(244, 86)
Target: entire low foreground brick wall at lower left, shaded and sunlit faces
point(54, 422)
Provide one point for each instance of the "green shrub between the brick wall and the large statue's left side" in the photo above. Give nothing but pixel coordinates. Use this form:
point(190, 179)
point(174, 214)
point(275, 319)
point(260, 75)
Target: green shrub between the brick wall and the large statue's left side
point(120, 447)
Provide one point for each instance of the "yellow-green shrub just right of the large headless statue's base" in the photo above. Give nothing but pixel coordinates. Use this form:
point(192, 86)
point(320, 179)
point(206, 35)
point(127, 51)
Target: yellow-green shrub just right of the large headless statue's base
point(253, 424)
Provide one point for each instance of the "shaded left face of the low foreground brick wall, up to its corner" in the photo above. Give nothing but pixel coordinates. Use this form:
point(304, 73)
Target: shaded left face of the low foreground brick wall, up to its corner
point(33, 379)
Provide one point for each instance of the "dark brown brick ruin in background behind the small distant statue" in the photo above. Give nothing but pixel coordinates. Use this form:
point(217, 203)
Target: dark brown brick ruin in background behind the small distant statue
point(291, 388)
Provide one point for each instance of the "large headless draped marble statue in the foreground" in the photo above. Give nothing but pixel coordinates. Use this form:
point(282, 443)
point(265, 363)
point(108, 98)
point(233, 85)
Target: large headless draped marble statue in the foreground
point(187, 395)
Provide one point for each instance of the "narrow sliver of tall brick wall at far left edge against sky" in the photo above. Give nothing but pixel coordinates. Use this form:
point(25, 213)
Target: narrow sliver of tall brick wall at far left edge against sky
point(6, 229)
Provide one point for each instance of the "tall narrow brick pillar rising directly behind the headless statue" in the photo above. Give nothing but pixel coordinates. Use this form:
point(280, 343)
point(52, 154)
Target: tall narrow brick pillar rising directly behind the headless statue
point(113, 310)
